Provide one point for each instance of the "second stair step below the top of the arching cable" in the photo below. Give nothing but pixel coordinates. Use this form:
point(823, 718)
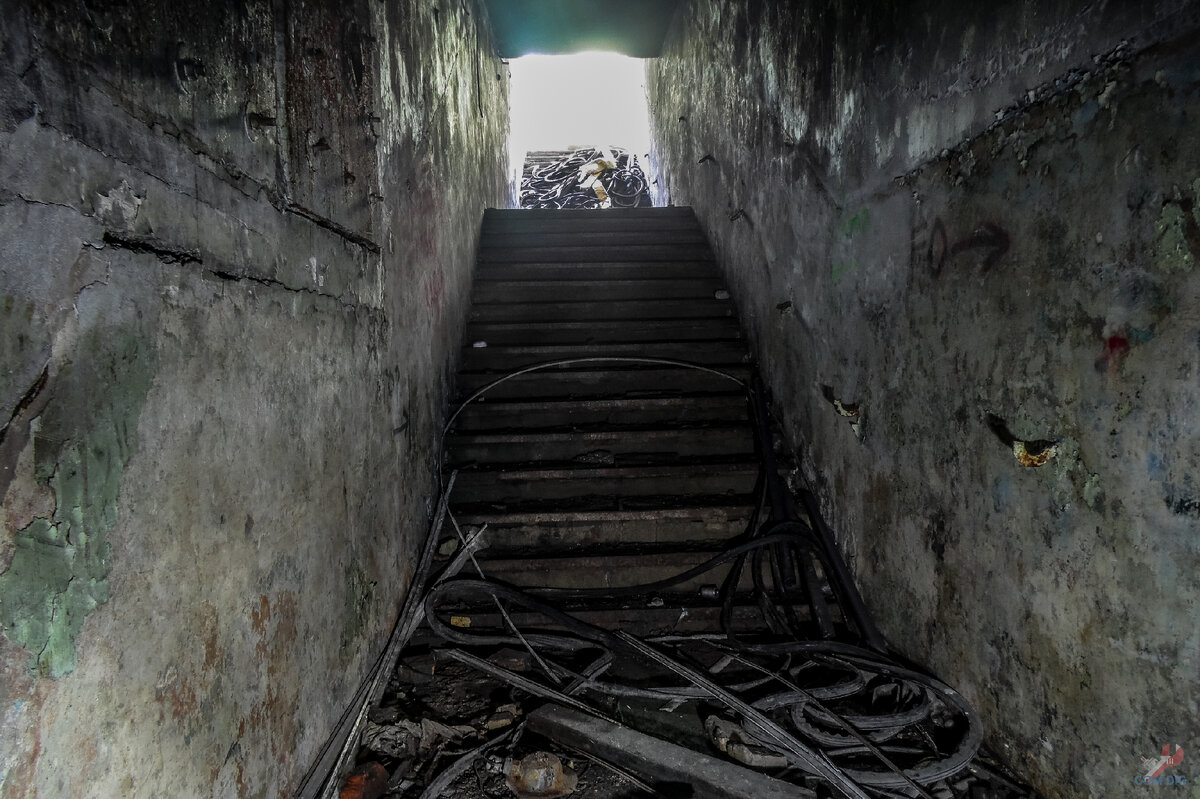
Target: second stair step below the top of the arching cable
point(638, 411)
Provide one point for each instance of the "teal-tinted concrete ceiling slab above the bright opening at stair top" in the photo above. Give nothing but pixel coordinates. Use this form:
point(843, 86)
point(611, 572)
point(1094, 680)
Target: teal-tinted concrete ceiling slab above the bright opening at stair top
point(631, 27)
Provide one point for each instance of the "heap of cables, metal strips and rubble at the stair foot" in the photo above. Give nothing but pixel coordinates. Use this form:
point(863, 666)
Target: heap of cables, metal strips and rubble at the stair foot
point(505, 692)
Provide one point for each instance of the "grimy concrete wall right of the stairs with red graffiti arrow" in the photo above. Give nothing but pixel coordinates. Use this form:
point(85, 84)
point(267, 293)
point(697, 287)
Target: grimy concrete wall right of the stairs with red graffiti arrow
point(979, 225)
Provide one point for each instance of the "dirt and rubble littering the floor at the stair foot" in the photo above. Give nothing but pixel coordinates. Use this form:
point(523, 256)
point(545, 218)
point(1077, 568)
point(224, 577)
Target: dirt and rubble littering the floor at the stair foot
point(449, 729)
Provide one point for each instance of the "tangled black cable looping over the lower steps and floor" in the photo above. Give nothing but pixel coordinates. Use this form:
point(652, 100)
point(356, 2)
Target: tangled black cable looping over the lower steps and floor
point(823, 699)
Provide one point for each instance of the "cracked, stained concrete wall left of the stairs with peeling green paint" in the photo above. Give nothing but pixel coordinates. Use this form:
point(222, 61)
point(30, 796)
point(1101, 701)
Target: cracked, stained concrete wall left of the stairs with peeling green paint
point(236, 253)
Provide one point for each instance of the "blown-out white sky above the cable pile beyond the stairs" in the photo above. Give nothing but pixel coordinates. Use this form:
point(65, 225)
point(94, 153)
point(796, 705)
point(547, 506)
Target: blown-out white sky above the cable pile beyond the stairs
point(589, 99)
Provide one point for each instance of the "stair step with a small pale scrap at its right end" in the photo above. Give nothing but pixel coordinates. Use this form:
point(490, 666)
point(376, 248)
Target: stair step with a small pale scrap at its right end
point(694, 289)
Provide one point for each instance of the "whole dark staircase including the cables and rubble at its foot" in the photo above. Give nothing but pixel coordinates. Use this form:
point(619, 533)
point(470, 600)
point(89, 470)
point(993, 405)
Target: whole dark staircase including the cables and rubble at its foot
point(621, 594)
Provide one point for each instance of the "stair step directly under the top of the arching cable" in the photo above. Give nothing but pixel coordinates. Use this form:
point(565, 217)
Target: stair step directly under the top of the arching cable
point(597, 382)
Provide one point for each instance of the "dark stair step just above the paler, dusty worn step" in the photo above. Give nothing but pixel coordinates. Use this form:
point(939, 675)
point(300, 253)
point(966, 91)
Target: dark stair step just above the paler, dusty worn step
point(539, 484)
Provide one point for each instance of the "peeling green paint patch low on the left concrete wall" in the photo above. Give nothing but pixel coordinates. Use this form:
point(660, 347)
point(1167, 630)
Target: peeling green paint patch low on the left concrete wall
point(61, 566)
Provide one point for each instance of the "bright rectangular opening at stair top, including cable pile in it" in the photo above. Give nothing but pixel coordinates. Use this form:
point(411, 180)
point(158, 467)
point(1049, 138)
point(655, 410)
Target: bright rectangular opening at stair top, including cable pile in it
point(580, 135)
